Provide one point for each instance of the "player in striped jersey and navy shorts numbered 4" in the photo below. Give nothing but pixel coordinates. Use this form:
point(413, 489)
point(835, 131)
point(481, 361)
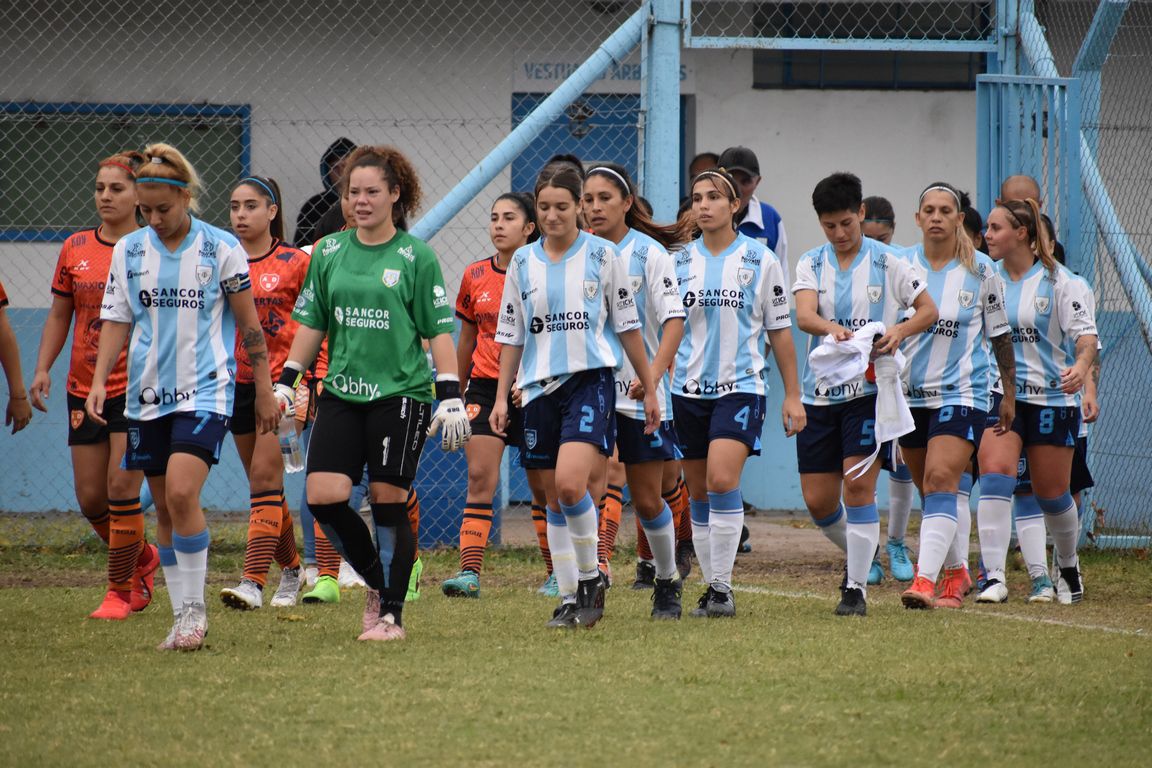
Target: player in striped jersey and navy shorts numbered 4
point(734, 294)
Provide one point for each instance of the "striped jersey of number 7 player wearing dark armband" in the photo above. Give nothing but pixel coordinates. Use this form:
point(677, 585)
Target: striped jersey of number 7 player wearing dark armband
point(180, 353)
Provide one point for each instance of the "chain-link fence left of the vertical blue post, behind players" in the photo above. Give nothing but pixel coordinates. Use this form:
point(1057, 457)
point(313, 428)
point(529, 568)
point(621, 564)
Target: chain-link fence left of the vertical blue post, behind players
point(266, 88)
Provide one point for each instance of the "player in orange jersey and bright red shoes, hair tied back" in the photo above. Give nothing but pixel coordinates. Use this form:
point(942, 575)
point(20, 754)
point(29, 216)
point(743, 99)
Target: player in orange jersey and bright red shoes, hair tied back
point(78, 288)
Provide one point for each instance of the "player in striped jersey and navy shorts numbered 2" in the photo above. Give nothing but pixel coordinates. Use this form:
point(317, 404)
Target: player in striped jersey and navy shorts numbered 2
point(566, 315)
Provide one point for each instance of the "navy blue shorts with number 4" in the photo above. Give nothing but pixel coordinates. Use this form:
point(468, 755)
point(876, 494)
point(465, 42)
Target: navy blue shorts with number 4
point(734, 417)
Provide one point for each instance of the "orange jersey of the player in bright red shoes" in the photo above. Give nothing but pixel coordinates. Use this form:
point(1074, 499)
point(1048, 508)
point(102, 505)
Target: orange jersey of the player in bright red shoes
point(82, 273)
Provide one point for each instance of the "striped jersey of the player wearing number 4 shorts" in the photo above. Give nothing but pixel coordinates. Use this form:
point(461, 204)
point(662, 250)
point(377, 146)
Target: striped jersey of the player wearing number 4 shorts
point(731, 300)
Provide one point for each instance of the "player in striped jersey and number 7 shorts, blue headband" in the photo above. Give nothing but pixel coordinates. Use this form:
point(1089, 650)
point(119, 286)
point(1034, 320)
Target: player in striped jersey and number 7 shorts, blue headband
point(180, 288)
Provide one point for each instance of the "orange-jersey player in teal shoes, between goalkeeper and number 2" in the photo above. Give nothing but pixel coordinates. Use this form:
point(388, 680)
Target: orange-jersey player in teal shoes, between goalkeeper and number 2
point(512, 225)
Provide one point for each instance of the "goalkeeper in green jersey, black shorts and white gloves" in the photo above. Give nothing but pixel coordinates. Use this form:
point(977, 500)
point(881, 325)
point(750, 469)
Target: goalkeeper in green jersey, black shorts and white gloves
point(376, 292)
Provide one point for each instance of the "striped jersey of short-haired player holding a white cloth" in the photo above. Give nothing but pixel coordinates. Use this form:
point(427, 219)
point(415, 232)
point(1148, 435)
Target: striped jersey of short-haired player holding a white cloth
point(878, 286)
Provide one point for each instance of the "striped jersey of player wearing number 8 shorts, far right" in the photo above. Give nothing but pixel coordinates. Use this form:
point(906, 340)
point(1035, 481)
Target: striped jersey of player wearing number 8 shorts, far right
point(1048, 314)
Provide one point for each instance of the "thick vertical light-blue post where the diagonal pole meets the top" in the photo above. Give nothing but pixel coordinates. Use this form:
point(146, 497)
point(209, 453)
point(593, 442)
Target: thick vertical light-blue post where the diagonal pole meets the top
point(661, 140)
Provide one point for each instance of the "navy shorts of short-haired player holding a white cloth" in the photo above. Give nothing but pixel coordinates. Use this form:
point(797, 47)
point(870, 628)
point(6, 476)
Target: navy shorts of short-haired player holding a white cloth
point(835, 434)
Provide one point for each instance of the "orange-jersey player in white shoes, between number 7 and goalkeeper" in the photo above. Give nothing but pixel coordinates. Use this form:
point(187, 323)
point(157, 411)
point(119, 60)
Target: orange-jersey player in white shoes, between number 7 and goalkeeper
point(277, 271)
